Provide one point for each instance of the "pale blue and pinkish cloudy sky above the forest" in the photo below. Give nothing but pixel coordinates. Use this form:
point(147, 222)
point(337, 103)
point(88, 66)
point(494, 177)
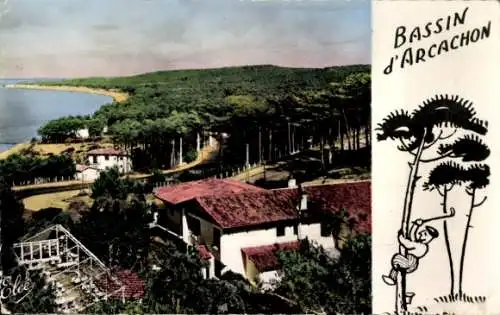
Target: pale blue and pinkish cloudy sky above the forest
point(81, 38)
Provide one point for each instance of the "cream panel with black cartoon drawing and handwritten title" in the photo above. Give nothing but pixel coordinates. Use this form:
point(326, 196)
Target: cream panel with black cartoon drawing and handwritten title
point(434, 156)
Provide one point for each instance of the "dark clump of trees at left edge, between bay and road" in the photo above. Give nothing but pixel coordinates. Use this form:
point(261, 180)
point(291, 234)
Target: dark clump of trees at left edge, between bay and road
point(26, 168)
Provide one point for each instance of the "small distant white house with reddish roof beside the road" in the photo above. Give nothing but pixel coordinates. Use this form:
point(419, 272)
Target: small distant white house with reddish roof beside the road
point(107, 158)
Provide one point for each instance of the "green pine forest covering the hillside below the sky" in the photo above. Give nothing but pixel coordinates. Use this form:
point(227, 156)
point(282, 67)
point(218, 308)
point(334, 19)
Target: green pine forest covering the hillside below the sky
point(166, 105)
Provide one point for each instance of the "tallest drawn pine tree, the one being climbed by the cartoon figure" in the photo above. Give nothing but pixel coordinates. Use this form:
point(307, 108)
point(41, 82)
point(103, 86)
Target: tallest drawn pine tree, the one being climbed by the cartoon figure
point(417, 133)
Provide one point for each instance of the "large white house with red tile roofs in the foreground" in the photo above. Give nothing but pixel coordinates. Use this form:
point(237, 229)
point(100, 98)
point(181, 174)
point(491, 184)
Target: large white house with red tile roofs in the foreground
point(243, 226)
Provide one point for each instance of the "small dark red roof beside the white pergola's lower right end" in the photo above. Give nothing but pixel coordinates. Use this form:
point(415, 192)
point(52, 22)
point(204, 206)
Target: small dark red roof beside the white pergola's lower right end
point(134, 286)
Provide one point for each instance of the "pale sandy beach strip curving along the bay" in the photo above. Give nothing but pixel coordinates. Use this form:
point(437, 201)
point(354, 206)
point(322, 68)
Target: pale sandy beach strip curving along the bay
point(118, 96)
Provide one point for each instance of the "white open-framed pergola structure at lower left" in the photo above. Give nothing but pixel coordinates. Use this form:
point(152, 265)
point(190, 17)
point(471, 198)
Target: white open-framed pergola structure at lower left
point(80, 278)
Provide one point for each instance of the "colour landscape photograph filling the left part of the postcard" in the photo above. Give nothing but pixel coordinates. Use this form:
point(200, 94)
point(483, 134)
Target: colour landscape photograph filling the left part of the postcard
point(185, 157)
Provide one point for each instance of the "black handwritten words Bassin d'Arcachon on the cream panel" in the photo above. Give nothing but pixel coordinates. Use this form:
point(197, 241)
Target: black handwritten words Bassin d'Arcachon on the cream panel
point(411, 55)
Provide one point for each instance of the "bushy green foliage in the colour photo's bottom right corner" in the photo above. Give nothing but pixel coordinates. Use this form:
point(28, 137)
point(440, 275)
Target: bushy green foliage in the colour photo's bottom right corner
point(320, 283)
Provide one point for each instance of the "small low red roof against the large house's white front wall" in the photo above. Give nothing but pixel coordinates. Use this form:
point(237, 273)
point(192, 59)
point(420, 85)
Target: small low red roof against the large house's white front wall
point(264, 257)
